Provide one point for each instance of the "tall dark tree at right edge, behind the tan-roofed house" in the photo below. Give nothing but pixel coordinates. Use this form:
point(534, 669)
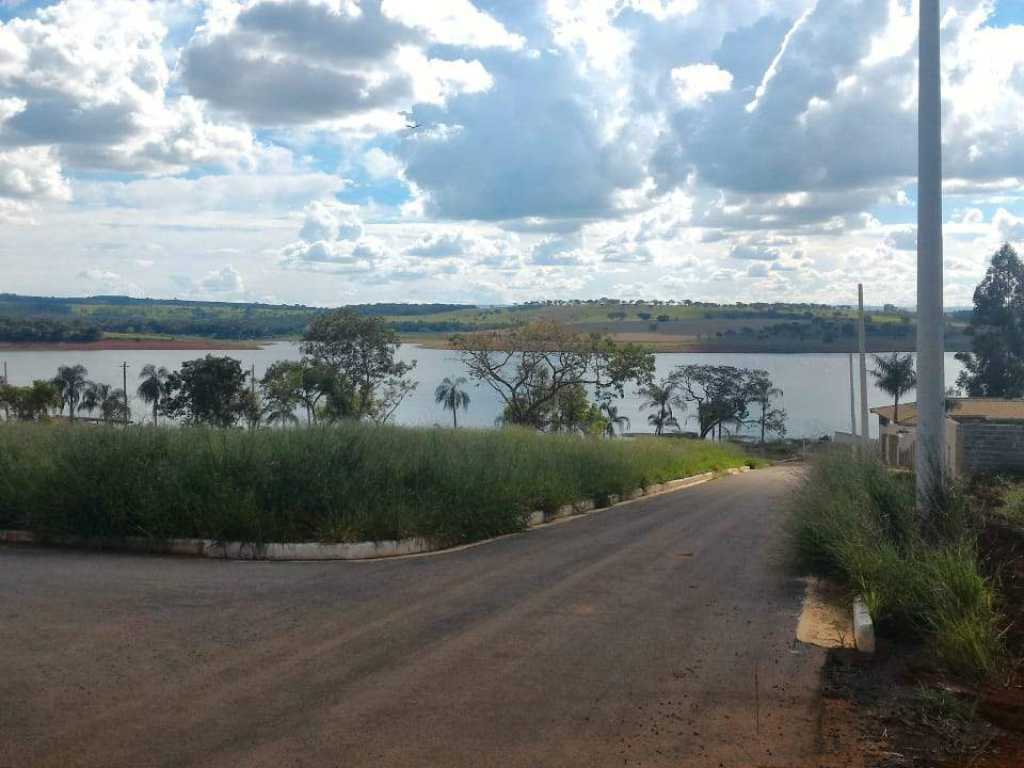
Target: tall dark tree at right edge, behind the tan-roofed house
point(995, 368)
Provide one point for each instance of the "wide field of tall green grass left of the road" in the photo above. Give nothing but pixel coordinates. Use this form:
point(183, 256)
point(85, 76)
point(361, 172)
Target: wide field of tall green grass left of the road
point(349, 483)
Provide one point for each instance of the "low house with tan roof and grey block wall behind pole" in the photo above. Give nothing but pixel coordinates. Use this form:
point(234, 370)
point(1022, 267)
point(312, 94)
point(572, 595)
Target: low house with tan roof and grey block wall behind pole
point(984, 435)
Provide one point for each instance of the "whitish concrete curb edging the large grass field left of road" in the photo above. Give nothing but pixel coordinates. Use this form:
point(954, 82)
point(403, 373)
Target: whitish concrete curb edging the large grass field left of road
point(355, 551)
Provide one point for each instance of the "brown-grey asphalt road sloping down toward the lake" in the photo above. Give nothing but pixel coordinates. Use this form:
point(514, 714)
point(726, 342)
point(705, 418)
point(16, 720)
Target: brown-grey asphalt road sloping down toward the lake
point(660, 633)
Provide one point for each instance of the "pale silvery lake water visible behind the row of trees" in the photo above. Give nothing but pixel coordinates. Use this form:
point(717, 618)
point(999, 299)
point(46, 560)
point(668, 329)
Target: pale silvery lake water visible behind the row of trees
point(817, 388)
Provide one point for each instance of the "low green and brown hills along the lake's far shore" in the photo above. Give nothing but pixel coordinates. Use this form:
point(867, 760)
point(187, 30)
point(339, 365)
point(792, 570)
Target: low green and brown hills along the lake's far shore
point(666, 326)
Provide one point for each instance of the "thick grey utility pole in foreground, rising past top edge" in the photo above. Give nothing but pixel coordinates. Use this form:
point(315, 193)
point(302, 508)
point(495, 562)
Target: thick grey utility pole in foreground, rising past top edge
point(931, 375)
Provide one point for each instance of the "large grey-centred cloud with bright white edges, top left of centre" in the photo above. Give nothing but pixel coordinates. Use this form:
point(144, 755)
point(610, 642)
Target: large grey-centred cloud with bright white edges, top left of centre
point(308, 62)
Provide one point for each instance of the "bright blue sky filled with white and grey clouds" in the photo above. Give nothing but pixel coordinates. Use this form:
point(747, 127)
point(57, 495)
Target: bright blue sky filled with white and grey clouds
point(338, 152)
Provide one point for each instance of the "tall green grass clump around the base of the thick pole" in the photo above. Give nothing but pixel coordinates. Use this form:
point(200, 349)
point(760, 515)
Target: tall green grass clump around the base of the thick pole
point(856, 523)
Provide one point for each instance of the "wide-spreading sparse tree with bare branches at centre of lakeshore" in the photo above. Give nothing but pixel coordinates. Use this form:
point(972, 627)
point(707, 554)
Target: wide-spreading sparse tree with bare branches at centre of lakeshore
point(533, 365)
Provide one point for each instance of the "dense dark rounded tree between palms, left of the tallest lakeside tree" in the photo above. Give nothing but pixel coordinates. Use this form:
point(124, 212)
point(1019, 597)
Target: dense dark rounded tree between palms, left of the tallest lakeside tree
point(207, 391)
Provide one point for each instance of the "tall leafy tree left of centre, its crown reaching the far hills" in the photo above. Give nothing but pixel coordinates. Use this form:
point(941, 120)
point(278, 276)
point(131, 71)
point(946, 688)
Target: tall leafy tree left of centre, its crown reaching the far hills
point(361, 352)
